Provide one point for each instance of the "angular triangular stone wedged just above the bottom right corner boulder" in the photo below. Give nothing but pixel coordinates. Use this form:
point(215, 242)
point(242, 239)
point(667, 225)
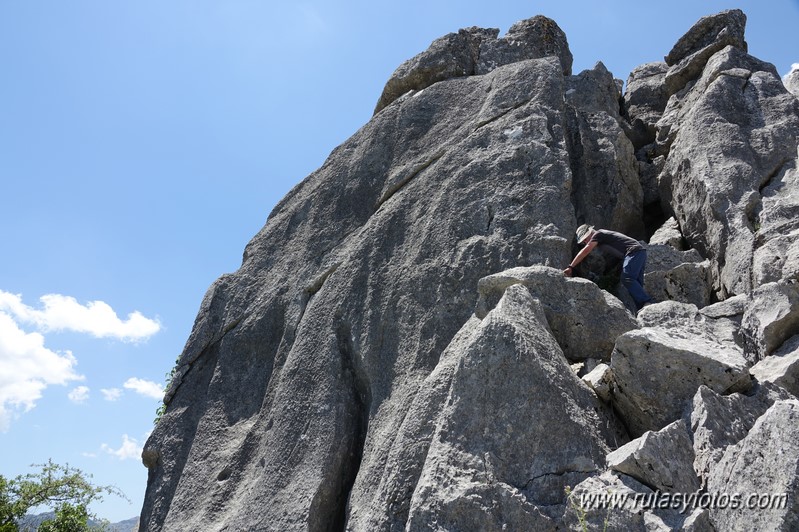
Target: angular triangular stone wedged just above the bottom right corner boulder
point(719, 421)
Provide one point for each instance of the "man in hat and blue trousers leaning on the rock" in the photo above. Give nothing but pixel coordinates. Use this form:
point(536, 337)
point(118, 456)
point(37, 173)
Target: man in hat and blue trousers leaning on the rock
point(621, 246)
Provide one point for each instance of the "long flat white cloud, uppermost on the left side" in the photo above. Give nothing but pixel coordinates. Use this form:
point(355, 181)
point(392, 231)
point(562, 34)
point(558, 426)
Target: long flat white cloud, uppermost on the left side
point(64, 313)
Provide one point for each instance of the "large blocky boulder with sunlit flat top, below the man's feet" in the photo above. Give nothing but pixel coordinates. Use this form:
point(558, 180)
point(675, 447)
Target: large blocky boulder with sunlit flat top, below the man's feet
point(657, 374)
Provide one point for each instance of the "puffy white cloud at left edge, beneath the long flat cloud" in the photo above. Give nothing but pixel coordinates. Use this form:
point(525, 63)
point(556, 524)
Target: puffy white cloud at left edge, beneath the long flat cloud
point(27, 367)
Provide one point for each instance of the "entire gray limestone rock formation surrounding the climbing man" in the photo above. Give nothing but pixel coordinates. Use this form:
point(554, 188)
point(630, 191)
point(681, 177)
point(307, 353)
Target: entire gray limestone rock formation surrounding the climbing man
point(398, 350)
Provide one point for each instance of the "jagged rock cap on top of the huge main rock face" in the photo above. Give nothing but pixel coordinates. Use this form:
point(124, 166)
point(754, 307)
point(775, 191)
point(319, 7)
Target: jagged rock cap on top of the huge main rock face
point(476, 50)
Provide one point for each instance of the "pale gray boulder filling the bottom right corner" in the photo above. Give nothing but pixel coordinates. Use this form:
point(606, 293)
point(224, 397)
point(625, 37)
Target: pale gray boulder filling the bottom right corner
point(764, 469)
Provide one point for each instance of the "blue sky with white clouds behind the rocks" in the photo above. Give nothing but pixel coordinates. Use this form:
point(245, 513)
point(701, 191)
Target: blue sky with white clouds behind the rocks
point(142, 144)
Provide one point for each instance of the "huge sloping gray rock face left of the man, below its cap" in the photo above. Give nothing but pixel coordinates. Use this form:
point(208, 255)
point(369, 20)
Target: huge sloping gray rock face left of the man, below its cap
point(348, 297)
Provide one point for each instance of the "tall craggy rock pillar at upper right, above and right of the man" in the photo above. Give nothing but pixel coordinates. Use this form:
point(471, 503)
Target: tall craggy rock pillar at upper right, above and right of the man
point(718, 204)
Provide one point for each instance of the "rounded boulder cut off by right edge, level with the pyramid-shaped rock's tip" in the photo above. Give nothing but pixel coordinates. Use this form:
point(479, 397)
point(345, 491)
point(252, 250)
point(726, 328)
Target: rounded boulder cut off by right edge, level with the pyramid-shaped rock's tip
point(771, 317)
